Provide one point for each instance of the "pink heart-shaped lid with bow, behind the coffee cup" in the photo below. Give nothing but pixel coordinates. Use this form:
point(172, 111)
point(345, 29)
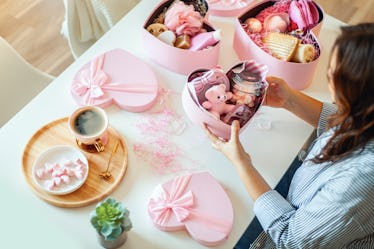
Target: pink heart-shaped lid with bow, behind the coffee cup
point(116, 77)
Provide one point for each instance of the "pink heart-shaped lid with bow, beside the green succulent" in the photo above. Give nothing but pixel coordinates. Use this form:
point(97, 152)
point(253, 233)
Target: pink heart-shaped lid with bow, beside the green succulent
point(196, 203)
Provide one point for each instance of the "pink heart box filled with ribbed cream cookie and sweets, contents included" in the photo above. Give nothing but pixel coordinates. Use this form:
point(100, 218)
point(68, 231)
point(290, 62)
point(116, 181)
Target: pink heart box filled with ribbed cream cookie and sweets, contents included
point(268, 33)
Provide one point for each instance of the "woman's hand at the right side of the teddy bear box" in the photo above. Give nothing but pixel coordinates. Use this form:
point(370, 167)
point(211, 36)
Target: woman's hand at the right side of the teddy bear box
point(278, 93)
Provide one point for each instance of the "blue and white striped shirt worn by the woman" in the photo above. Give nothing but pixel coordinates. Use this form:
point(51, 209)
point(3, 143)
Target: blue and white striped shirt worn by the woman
point(329, 205)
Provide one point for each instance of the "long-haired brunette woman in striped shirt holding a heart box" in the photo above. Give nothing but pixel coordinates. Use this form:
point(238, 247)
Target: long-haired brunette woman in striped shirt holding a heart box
point(330, 202)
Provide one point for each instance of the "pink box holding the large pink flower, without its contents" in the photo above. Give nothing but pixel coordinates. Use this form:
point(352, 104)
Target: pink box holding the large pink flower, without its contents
point(182, 61)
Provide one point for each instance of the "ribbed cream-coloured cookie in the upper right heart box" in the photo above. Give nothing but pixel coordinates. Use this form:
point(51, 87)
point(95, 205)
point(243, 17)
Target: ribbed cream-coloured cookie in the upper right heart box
point(281, 46)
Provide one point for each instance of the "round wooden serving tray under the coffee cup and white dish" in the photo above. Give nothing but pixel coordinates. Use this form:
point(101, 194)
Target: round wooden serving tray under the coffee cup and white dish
point(95, 188)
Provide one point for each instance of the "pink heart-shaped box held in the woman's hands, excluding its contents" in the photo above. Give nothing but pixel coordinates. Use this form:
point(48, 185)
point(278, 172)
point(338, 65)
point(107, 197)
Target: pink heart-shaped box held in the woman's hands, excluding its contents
point(199, 115)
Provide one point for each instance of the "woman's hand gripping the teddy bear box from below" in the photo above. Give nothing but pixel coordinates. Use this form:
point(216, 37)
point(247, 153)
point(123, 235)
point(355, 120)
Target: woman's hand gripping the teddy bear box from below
point(232, 148)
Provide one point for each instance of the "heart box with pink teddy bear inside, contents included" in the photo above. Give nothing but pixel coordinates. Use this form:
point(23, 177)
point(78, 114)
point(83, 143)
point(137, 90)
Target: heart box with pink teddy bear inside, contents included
point(244, 87)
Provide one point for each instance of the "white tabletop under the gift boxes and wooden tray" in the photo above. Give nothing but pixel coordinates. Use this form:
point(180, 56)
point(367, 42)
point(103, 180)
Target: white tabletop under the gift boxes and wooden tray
point(29, 222)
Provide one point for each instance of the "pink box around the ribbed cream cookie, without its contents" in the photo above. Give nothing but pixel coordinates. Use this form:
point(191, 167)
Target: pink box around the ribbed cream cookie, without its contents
point(298, 75)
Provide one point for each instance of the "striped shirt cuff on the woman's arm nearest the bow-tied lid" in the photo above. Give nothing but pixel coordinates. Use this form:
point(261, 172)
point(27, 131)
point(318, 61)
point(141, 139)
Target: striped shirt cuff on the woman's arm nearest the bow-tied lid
point(269, 207)
